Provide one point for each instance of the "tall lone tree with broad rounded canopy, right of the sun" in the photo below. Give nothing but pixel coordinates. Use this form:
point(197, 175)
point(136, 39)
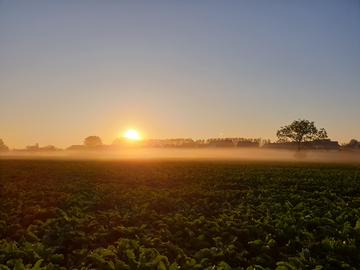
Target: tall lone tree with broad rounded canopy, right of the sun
point(300, 131)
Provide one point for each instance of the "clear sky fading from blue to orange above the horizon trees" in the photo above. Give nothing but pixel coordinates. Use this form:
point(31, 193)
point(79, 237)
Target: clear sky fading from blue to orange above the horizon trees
point(170, 69)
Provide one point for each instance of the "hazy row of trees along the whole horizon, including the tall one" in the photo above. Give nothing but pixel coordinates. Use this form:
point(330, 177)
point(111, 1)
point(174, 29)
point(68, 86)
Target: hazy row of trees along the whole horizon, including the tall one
point(302, 133)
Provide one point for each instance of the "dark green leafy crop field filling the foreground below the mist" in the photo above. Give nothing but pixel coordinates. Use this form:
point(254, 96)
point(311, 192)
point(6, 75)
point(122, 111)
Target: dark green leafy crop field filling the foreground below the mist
point(178, 215)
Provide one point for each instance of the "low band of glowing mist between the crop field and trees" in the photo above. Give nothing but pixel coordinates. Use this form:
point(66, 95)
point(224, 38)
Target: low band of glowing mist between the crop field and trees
point(196, 154)
